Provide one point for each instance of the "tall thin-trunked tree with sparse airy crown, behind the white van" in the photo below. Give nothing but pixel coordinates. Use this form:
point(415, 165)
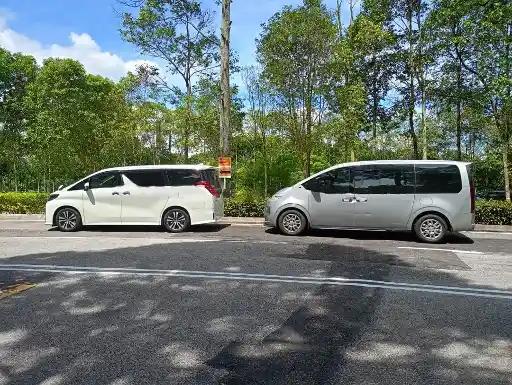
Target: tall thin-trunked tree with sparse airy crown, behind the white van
point(180, 33)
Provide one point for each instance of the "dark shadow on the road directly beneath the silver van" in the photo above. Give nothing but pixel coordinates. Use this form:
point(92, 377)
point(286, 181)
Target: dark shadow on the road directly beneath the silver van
point(375, 235)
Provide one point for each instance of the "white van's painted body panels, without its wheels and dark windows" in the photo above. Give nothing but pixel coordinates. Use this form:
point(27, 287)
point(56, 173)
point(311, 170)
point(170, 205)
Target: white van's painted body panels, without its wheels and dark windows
point(130, 204)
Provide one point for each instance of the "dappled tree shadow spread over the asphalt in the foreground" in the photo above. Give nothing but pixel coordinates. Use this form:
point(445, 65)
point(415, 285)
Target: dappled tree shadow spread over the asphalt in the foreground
point(108, 329)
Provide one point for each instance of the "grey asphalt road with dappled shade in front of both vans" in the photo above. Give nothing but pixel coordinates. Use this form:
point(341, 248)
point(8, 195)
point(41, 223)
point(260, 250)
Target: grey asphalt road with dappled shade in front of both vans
point(241, 305)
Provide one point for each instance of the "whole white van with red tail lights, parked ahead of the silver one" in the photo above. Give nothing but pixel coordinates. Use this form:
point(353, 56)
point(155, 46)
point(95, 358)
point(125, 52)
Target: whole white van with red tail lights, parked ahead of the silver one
point(174, 196)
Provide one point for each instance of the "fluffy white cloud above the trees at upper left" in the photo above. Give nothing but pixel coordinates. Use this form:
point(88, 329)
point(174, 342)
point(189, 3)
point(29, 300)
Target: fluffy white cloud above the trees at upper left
point(82, 48)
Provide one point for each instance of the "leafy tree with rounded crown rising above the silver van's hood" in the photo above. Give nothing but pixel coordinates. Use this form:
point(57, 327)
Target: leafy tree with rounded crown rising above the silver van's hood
point(294, 49)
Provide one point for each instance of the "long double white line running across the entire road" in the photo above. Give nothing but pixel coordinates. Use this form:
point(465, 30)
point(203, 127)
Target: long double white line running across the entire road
point(338, 281)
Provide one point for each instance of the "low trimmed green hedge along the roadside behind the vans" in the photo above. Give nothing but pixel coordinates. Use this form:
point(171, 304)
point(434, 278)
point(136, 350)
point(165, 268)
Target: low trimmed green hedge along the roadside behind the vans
point(487, 212)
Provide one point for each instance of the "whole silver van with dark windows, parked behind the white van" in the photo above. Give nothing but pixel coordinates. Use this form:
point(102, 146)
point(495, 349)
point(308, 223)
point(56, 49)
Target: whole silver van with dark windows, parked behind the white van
point(430, 198)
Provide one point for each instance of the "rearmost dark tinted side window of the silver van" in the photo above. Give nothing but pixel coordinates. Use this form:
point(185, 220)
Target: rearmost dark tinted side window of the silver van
point(438, 179)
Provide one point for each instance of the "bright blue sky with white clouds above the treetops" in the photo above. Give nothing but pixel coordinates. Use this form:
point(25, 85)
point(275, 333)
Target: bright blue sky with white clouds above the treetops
point(88, 31)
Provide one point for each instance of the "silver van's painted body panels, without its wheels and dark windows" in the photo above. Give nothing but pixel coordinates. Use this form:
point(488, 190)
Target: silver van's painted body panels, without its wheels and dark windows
point(354, 210)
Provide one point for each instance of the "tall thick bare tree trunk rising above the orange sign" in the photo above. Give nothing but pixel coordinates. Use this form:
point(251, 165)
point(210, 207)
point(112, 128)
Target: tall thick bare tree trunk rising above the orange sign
point(225, 100)
